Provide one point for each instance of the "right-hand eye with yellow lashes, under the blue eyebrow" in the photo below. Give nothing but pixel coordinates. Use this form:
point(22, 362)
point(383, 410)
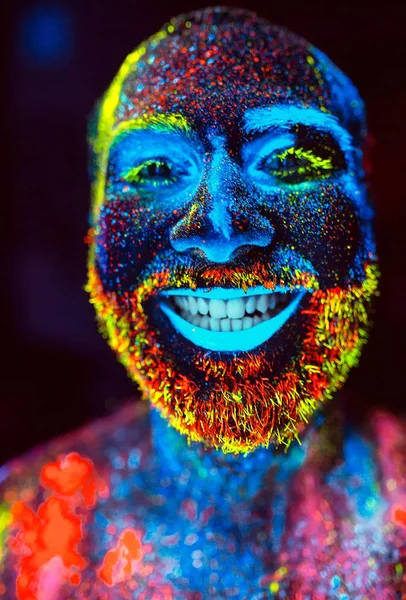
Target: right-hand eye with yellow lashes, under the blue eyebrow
point(297, 164)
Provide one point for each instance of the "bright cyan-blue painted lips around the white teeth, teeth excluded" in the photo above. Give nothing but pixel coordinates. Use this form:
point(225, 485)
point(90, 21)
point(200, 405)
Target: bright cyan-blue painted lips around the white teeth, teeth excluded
point(230, 341)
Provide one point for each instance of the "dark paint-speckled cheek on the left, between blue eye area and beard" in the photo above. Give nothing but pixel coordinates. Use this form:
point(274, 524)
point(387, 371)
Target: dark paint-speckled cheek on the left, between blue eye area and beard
point(130, 235)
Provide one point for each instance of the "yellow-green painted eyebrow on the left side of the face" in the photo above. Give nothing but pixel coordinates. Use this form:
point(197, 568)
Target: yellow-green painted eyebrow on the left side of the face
point(158, 122)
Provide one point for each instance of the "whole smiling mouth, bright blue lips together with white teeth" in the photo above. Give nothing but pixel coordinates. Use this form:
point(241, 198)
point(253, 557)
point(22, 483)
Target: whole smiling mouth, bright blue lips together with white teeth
point(230, 319)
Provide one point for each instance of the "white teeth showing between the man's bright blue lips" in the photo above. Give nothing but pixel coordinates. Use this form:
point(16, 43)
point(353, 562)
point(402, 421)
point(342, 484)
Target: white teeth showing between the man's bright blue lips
point(236, 314)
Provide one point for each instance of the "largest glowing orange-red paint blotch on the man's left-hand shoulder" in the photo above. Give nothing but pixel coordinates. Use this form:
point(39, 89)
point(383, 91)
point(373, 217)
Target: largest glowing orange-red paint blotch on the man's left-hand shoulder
point(56, 530)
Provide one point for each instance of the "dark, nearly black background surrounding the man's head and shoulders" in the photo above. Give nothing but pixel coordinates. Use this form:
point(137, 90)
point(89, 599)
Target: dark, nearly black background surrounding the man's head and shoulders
point(61, 56)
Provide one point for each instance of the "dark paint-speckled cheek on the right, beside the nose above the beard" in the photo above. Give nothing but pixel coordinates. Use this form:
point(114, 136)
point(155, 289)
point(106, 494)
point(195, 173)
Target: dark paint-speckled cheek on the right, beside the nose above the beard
point(324, 228)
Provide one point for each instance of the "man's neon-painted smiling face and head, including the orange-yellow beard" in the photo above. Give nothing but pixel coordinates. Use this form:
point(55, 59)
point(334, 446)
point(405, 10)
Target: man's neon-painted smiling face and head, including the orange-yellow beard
point(232, 260)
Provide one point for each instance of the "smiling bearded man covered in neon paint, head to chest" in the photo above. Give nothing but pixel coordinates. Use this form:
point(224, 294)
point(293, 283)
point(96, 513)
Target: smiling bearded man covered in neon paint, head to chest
point(232, 267)
